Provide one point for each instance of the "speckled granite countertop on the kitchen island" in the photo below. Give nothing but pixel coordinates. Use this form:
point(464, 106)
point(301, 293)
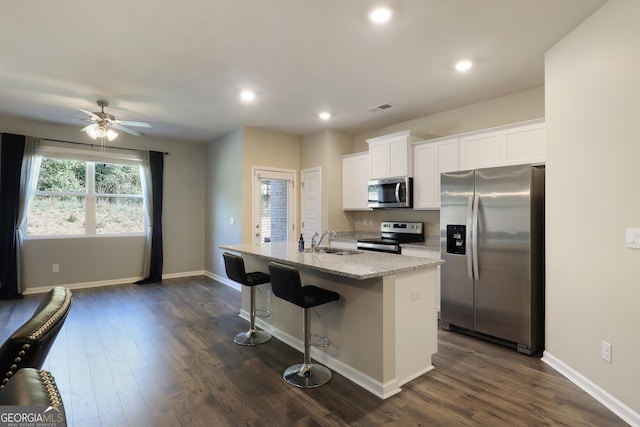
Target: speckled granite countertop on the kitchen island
point(363, 265)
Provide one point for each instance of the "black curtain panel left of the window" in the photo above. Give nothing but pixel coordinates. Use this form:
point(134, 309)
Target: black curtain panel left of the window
point(10, 168)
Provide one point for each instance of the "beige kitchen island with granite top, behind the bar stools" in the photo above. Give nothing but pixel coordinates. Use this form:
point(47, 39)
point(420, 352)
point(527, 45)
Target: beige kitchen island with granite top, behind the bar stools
point(383, 330)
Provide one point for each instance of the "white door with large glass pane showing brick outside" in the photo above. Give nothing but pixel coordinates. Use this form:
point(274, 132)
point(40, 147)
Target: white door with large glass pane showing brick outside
point(273, 205)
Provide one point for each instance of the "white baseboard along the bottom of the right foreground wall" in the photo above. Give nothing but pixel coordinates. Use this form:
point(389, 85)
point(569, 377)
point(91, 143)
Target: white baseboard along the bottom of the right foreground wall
point(610, 402)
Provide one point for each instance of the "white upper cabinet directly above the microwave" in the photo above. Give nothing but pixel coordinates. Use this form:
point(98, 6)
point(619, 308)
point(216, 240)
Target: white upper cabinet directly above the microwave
point(391, 155)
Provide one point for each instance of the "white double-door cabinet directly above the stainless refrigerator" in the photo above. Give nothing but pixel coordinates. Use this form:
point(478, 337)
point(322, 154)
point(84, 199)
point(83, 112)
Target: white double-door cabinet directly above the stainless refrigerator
point(510, 145)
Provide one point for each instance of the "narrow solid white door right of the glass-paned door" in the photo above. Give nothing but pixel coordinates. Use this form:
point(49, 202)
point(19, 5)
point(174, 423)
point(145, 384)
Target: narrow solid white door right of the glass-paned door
point(311, 202)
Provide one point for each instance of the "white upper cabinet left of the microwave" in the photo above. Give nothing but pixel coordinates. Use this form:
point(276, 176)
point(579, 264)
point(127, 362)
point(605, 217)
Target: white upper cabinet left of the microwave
point(355, 178)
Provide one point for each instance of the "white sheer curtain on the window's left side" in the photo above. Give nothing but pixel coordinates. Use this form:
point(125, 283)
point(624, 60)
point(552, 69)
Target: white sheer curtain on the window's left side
point(28, 178)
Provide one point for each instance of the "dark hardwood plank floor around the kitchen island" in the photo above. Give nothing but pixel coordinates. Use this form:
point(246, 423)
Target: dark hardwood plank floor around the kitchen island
point(163, 355)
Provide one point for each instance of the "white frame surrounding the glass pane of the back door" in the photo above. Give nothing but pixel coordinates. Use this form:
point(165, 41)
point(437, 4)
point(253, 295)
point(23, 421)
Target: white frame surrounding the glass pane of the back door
point(258, 172)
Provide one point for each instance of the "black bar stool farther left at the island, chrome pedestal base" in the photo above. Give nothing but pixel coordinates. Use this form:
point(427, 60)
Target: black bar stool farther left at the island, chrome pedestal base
point(234, 265)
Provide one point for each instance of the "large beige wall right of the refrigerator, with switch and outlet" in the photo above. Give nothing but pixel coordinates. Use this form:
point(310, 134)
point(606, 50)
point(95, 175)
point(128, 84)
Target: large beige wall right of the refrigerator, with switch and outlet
point(592, 111)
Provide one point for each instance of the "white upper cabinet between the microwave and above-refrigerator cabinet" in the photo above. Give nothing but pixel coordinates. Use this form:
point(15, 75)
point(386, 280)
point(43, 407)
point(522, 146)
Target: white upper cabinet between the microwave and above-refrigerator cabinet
point(431, 159)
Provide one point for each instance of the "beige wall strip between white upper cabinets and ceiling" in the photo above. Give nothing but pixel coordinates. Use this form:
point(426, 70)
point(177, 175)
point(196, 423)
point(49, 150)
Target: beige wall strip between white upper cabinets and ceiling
point(516, 107)
